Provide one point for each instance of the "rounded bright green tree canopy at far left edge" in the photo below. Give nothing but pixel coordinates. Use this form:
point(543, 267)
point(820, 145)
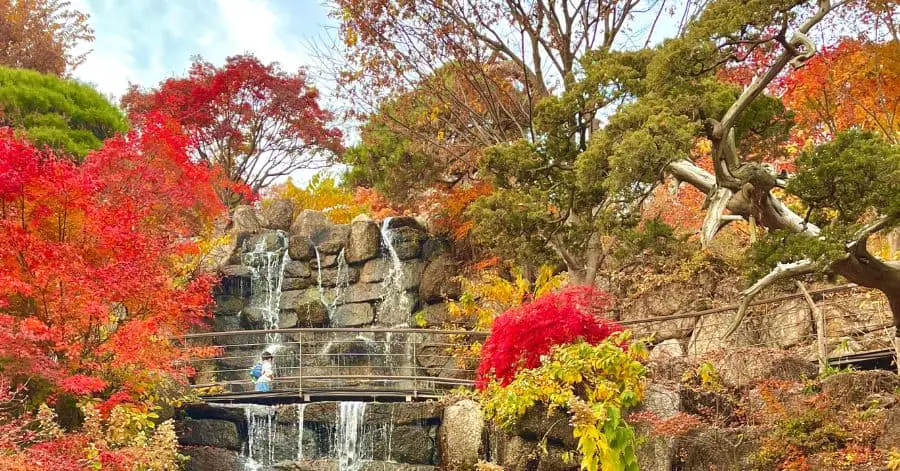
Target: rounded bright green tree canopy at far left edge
point(63, 114)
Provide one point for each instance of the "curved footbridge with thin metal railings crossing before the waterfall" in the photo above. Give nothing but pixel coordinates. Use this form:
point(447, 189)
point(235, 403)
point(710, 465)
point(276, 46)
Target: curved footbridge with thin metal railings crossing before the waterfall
point(333, 363)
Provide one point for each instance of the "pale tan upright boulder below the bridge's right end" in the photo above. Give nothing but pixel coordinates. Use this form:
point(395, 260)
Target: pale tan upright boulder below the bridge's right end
point(460, 435)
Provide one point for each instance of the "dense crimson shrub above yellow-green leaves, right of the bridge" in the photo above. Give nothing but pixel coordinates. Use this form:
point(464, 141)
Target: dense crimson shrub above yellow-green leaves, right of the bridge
point(521, 335)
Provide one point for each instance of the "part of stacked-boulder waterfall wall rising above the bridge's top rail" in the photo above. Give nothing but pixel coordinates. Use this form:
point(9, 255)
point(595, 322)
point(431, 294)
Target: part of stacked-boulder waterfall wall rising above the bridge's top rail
point(338, 275)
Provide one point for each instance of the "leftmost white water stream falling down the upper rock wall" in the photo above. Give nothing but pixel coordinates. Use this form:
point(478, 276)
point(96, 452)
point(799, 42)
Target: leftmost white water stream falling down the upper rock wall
point(266, 278)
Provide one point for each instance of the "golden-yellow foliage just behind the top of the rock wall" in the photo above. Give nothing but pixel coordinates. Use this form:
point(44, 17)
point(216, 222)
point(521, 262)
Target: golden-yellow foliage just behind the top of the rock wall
point(322, 193)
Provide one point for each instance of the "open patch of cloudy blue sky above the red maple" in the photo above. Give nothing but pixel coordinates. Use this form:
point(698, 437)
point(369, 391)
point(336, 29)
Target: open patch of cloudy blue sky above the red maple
point(145, 41)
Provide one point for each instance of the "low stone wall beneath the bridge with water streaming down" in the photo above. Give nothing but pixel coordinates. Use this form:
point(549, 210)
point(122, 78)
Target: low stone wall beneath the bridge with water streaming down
point(391, 436)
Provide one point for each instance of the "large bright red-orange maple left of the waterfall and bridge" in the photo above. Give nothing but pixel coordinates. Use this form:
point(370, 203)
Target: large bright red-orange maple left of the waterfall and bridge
point(88, 295)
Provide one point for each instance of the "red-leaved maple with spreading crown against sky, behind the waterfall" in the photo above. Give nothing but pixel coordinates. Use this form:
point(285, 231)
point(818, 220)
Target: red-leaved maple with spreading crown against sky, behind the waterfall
point(255, 121)
